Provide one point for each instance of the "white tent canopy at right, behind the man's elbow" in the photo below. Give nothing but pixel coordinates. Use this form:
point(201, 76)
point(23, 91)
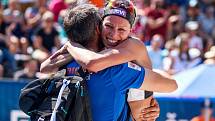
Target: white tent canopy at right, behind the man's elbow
point(195, 82)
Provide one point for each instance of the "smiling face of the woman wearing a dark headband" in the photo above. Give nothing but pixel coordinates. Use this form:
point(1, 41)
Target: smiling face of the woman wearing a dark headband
point(115, 29)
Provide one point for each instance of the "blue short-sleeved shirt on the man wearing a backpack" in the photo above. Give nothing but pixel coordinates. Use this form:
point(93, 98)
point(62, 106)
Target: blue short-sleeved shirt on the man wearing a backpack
point(108, 89)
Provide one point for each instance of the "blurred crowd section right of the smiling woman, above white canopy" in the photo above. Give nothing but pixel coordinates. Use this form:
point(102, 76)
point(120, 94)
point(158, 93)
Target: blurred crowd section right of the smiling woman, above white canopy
point(179, 34)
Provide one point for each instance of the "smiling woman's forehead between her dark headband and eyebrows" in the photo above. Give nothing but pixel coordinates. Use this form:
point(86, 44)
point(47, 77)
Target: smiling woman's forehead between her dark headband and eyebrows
point(116, 20)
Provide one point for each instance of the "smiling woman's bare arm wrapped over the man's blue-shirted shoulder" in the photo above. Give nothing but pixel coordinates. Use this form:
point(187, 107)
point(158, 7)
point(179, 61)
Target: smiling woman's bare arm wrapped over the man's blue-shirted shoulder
point(129, 50)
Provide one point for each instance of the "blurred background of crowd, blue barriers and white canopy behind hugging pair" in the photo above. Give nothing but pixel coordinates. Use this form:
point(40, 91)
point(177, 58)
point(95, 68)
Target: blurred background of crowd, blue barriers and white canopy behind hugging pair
point(180, 39)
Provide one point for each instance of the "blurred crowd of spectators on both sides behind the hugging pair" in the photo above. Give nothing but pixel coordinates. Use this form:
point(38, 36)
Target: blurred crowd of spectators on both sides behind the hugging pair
point(179, 34)
